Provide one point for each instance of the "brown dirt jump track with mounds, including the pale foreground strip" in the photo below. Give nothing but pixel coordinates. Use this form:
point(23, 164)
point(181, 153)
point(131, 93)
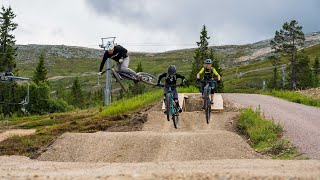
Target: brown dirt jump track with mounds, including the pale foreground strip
point(194, 151)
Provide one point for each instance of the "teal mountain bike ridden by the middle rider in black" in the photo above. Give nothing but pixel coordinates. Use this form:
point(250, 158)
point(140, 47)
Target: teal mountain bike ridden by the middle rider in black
point(172, 110)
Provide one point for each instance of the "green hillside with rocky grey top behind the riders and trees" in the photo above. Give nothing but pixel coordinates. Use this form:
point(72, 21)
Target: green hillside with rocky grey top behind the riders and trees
point(66, 62)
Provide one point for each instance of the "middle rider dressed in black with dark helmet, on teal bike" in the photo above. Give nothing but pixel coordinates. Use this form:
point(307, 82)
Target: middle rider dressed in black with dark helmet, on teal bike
point(171, 79)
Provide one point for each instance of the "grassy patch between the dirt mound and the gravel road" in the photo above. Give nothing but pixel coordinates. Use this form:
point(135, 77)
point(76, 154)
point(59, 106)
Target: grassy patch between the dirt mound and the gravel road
point(264, 135)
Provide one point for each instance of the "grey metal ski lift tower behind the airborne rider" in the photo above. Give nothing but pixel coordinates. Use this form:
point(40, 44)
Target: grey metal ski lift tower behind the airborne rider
point(107, 92)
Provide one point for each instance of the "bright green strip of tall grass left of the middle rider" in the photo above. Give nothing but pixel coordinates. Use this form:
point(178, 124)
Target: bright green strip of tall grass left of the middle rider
point(132, 104)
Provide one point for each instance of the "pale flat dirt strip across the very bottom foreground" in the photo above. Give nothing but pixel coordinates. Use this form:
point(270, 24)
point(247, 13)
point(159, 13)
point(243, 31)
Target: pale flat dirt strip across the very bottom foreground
point(24, 168)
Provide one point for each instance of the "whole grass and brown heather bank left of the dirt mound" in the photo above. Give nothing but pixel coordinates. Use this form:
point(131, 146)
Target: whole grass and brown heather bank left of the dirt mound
point(49, 127)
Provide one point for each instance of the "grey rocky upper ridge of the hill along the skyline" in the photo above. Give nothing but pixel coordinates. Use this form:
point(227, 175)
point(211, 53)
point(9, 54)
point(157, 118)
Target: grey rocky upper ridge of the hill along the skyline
point(231, 54)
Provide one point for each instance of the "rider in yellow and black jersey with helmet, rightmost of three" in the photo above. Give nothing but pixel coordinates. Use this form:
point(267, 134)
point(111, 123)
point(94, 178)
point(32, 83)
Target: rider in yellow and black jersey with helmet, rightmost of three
point(208, 72)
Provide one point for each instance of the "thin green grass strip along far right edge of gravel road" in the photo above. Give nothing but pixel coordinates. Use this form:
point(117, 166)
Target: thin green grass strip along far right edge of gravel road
point(294, 97)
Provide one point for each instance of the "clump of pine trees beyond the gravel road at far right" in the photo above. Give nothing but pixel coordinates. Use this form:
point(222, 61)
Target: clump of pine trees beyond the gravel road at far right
point(301, 73)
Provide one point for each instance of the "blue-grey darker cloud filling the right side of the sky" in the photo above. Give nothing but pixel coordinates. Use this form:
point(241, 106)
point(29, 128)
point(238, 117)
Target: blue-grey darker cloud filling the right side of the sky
point(246, 20)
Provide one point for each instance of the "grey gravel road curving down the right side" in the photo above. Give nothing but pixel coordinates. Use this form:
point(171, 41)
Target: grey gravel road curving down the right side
point(301, 123)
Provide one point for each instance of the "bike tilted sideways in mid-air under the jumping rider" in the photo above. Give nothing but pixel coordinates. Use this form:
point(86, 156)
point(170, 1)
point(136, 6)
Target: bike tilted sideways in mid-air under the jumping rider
point(142, 77)
